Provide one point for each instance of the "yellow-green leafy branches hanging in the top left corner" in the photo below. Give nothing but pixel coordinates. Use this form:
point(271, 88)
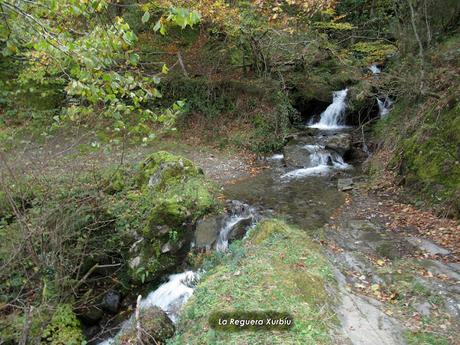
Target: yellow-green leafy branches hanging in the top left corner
point(93, 61)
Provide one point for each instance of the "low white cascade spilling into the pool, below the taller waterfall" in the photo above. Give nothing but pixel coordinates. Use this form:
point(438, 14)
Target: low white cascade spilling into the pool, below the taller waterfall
point(322, 162)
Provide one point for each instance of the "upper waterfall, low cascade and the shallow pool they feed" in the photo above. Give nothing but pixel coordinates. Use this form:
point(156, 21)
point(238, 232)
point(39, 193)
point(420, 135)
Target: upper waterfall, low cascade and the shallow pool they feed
point(305, 196)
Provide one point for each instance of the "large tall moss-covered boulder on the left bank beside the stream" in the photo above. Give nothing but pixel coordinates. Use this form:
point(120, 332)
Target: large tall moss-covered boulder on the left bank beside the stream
point(173, 195)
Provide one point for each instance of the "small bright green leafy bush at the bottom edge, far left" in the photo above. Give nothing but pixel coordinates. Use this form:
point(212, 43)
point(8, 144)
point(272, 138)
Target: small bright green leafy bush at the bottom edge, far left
point(64, 328)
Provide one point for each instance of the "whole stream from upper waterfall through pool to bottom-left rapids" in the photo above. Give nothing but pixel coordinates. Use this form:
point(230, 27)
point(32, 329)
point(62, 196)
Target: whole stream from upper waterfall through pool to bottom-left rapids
point(305, 196)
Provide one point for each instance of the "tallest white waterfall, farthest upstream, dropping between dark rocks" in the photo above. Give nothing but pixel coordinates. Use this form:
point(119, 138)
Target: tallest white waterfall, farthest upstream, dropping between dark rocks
point(333, 116)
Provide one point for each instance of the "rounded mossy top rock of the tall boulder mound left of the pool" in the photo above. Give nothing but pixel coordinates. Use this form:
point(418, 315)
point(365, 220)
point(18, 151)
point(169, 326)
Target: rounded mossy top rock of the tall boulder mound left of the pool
point(162, 168)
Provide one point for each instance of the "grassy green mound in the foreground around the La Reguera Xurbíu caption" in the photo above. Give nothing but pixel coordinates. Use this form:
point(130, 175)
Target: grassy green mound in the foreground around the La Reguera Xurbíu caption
point(278, 268)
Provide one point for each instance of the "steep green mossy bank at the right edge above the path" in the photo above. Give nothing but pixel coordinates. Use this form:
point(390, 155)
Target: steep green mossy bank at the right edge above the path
point(425, 138)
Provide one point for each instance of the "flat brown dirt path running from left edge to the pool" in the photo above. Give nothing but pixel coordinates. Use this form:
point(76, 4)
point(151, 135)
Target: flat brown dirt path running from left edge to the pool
point(63, 155)
